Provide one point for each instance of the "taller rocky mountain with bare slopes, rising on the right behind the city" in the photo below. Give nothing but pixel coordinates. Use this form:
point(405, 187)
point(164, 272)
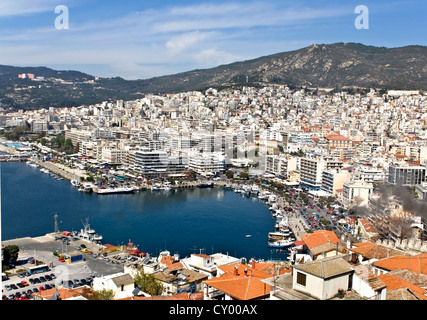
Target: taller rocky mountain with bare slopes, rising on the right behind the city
point(326, 66)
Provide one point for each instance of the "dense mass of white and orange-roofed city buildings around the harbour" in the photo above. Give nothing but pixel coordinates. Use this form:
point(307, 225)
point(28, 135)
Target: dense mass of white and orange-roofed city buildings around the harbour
point(349, 167)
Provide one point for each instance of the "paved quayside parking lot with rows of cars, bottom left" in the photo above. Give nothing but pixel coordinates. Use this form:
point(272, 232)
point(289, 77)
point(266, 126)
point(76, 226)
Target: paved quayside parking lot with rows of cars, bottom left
point(60, 273)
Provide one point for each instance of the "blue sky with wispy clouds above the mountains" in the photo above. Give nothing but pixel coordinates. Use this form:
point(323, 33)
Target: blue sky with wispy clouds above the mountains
point(138, 39)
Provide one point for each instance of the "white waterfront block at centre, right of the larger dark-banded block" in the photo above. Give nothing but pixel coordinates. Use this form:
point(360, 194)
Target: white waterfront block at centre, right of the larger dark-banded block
point(202, 162)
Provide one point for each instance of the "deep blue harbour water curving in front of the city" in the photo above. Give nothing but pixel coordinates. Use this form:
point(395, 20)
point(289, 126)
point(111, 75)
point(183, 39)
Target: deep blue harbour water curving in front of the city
point(182, 221)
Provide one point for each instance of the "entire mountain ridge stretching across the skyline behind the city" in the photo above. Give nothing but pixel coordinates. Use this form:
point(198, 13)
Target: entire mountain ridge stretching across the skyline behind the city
point(338, 66)
